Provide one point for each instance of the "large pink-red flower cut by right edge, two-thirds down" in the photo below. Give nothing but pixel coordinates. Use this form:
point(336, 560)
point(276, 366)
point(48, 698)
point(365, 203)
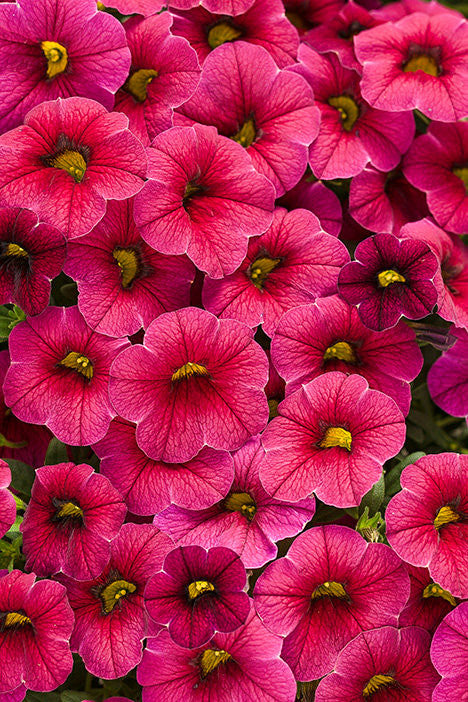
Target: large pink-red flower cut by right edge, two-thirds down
point(427, 522)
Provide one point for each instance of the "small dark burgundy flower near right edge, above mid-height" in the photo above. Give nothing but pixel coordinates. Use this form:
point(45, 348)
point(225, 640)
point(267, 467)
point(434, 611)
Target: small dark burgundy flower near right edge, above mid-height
point(390, 278)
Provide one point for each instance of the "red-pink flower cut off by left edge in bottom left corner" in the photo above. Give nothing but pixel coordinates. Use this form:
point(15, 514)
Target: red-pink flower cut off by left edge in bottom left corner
point(35, 625)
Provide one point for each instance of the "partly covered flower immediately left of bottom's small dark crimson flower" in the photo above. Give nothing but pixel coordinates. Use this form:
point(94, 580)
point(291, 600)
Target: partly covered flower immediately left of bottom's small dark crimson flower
point(110, 619)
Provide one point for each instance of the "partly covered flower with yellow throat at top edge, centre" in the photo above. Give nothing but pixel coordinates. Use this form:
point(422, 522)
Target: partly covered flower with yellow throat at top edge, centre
point(263, 24)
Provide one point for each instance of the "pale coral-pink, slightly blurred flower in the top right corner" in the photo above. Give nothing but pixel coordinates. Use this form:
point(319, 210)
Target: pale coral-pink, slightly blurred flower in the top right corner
point(419, 62)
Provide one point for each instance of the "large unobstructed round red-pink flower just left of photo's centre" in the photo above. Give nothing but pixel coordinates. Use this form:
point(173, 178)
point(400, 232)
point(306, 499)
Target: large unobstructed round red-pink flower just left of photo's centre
point(198, 379)
